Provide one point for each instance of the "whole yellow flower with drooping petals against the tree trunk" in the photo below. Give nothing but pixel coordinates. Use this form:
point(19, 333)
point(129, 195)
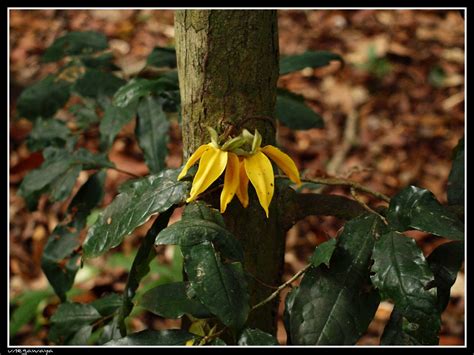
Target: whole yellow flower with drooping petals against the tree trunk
point(240, 167)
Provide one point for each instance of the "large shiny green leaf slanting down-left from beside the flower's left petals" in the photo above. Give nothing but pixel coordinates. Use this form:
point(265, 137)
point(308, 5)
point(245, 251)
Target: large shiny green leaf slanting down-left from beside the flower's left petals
point(131, 208)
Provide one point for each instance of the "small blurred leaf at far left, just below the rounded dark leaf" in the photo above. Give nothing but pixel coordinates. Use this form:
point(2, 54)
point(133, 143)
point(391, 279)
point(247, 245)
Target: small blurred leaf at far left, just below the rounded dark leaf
point(48, 132)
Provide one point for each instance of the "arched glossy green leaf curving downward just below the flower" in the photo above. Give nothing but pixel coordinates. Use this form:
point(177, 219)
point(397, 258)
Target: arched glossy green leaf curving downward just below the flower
point(190, 231)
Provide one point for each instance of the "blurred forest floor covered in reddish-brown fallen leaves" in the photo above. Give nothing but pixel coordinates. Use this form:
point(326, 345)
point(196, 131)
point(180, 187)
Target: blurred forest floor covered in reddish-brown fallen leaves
point(393, 114)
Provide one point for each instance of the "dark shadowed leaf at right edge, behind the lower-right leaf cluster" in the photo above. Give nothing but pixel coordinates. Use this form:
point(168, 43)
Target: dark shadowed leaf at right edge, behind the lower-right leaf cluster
point(445, 262)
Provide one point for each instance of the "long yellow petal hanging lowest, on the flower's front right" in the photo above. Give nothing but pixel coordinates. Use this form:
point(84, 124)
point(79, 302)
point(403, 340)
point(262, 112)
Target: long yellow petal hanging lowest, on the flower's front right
point(260, 172)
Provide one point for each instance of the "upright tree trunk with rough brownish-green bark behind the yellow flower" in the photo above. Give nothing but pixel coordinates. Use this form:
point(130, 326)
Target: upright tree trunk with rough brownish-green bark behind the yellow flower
point(228, 70)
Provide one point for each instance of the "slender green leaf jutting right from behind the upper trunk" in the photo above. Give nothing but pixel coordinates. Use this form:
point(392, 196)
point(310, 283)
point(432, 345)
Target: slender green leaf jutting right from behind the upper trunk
point(309, 59)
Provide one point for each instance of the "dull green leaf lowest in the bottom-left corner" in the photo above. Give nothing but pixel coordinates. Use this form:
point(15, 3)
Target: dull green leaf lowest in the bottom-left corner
point(69, 318)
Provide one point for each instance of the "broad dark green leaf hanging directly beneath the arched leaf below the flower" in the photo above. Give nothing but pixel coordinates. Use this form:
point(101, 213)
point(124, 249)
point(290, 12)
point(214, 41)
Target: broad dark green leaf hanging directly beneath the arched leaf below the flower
point(221, 288)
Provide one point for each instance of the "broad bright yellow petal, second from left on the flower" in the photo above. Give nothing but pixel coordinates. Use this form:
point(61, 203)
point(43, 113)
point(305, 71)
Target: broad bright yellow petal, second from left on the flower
point(211, 166)
